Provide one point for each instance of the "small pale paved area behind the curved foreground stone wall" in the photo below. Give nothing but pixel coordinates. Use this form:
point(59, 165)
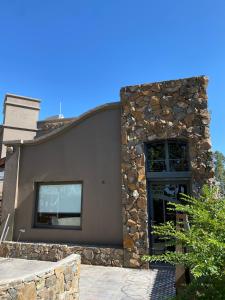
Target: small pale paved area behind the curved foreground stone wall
point(13, 268)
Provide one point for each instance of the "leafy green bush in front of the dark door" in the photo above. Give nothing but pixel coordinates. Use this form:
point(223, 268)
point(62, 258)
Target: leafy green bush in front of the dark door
point(204, 242)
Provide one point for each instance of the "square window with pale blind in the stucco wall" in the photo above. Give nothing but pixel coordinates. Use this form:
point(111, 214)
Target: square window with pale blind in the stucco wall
point(59, 205)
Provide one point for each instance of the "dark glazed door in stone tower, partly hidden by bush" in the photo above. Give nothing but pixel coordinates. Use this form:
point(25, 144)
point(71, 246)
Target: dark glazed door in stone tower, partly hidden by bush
point(159, 196)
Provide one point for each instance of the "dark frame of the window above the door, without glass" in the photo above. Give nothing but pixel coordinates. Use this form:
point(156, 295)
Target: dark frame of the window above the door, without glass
point(168, 174)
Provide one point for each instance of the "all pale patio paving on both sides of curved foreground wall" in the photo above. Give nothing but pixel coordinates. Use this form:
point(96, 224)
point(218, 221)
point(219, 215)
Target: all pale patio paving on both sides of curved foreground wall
point(104, 283)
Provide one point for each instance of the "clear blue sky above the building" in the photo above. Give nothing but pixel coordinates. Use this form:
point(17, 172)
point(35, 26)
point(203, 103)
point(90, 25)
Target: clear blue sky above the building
point(82, 52)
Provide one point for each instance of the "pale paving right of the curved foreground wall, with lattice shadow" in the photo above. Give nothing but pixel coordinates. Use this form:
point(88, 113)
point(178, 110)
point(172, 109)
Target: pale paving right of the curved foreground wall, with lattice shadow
point(110, 283)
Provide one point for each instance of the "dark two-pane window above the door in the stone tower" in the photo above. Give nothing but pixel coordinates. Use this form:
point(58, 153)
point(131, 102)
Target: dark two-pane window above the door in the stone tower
point(167, 156)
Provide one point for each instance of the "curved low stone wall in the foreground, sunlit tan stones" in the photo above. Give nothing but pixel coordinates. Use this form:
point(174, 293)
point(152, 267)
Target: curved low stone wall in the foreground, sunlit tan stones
point(61, 281)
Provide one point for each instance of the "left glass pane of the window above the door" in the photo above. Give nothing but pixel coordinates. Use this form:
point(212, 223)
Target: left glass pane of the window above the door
point(156, 157)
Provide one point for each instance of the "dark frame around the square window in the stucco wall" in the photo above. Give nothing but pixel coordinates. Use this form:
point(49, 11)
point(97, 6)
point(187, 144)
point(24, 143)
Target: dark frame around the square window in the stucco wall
point(59, 227)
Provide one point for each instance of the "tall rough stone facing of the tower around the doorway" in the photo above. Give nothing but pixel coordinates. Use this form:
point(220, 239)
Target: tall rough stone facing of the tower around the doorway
point(163, 110)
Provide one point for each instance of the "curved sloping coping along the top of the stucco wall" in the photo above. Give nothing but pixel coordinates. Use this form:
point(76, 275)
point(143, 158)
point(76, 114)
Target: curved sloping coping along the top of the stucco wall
point(64, 128)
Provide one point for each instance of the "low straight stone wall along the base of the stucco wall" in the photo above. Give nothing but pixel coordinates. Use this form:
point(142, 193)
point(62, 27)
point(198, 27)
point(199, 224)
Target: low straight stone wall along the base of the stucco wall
point(53, 252)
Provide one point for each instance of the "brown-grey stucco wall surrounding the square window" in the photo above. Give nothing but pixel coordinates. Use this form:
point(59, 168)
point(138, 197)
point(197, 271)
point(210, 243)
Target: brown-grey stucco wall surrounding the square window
point(88, 151)
